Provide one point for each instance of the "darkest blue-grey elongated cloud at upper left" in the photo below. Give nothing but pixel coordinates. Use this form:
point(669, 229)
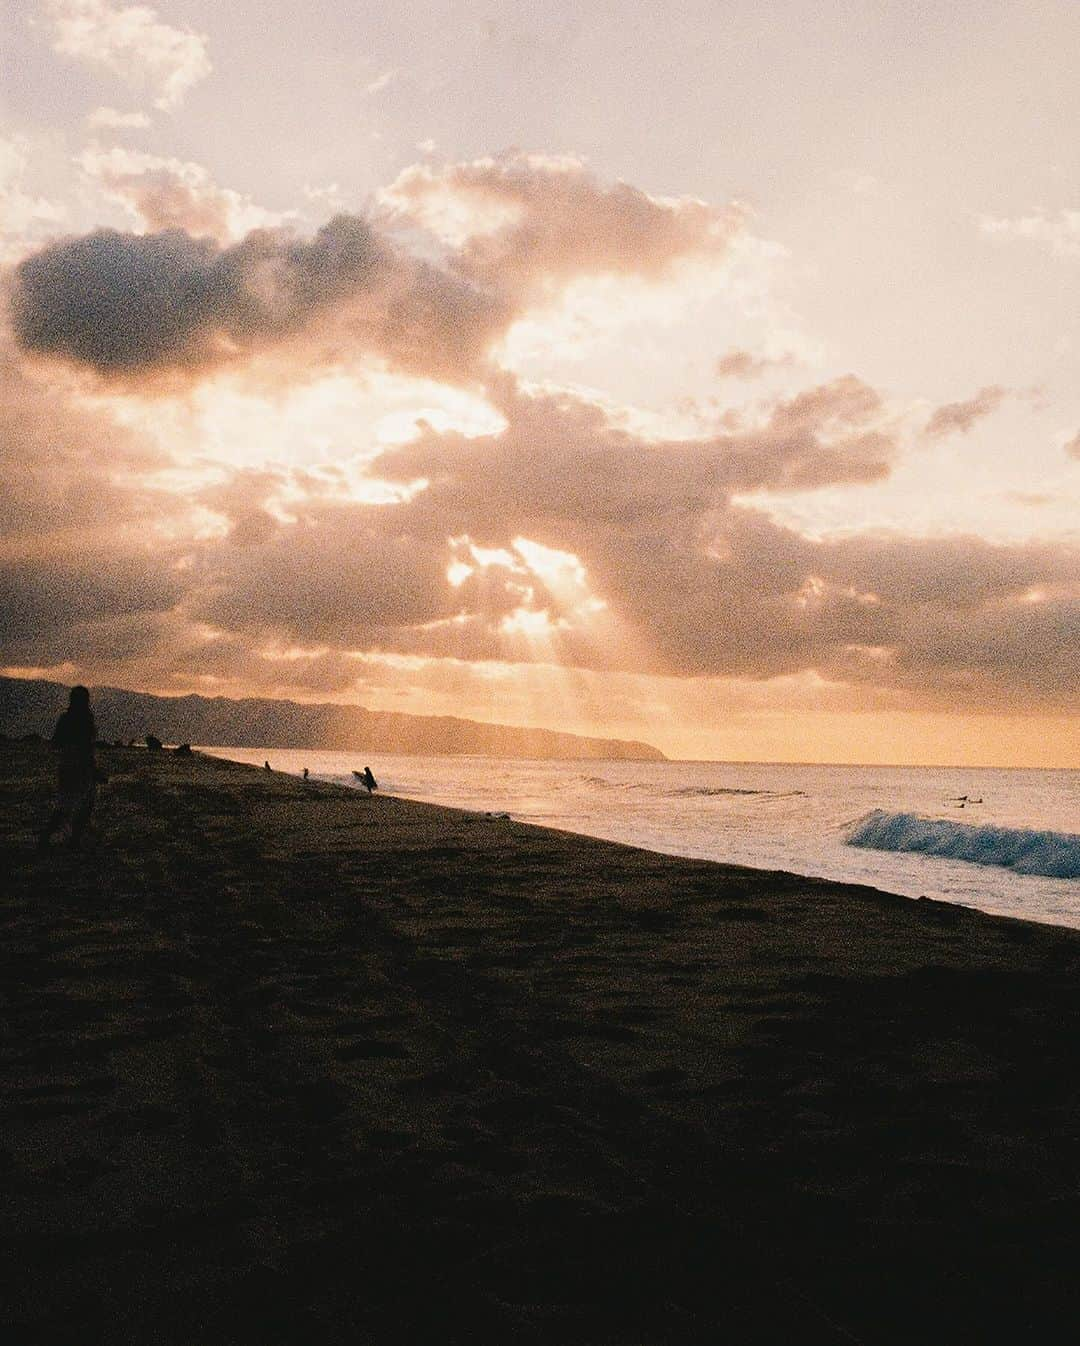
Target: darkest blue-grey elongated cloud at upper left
point(168, 304)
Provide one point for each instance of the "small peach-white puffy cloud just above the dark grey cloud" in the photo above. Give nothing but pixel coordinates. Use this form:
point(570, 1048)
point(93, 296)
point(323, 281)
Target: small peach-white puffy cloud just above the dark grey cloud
point(165, 194)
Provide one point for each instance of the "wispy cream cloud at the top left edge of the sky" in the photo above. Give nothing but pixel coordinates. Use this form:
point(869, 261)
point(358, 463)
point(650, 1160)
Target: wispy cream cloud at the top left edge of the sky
point(134, 44)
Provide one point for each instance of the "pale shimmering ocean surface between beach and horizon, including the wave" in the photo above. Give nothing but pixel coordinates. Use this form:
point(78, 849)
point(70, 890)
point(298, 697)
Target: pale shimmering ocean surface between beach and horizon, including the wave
point(1004, 841)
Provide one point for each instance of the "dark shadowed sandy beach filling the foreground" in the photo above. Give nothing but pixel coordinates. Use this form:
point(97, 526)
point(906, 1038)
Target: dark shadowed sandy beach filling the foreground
point(288, 1065)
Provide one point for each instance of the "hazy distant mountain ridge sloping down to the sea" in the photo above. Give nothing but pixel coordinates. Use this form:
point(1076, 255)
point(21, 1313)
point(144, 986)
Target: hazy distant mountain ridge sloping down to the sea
point(32, 706)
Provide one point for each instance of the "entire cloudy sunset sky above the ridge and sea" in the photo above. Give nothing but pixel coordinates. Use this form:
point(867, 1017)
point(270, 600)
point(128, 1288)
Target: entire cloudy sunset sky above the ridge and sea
point(701, 374)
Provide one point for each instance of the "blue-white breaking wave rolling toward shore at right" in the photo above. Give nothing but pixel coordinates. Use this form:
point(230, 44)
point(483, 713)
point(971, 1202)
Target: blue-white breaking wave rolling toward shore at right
point(1052, 854)
